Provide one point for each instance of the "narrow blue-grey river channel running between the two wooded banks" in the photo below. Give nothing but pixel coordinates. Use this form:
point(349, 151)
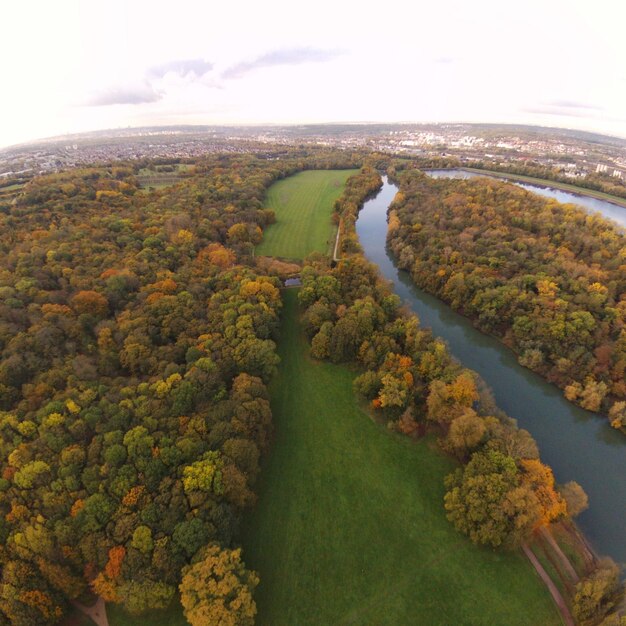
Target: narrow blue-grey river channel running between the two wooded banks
point(577, 444)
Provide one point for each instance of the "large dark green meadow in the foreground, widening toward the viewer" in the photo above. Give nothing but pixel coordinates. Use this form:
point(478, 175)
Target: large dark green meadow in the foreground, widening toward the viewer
point(350, 526)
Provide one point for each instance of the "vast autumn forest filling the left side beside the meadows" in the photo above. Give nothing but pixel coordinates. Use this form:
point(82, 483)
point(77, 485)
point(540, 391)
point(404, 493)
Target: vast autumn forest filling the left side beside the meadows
point(136, 342)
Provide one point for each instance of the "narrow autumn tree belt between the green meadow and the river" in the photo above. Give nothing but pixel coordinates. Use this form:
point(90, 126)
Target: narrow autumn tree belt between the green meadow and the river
point(502, 493)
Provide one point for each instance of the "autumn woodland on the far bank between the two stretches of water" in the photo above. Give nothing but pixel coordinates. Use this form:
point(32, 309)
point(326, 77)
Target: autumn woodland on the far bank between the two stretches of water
point(547, 278)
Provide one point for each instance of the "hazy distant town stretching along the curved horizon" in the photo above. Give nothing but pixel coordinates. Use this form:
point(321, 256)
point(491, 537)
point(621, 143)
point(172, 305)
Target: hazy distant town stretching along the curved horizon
point(574, 154)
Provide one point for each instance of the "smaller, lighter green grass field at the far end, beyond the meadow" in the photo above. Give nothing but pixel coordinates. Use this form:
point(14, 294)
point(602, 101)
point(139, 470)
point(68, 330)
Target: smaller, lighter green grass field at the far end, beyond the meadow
point(303, 204)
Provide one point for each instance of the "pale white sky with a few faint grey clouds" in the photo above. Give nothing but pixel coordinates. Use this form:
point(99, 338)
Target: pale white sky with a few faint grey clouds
point(70, 66)
